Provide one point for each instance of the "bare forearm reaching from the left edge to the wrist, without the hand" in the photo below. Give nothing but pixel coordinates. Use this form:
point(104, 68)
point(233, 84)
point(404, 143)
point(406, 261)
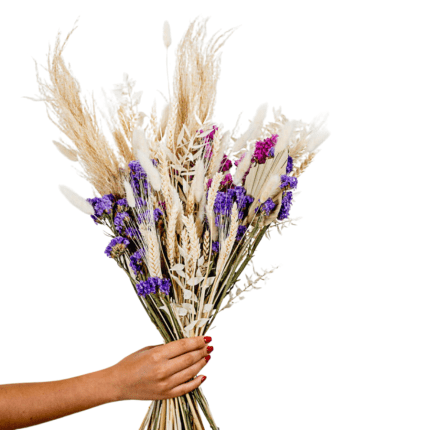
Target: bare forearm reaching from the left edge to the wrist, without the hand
point(24, 405)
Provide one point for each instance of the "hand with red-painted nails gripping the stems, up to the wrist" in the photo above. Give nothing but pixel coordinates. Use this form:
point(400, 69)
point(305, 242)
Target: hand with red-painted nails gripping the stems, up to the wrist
point(161, 371)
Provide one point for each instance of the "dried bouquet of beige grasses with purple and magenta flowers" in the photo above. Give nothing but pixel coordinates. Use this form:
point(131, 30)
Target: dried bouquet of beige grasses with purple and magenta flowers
point(185, 203)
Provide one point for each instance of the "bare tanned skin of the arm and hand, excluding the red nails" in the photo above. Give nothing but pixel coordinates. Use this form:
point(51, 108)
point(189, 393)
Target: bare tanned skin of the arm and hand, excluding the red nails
point(152, 373)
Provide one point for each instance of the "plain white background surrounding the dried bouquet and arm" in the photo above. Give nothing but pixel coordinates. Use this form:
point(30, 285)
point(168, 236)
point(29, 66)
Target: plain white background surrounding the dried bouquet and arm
point(339, 337)
